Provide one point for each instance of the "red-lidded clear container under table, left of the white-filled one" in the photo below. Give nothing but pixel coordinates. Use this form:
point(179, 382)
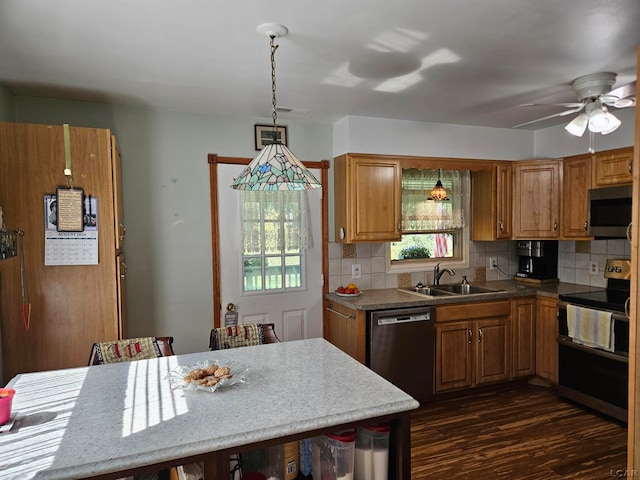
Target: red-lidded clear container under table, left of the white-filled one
point(333, 456)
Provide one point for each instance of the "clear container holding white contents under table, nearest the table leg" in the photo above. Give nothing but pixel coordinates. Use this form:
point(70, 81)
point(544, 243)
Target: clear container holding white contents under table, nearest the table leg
point(372, 452)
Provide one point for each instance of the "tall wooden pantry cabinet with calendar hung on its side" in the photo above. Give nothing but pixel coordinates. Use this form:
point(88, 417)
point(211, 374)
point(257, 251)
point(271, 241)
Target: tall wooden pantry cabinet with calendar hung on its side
point(72, 304)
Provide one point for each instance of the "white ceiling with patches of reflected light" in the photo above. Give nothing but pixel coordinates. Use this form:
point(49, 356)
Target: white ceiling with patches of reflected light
point(456, 61)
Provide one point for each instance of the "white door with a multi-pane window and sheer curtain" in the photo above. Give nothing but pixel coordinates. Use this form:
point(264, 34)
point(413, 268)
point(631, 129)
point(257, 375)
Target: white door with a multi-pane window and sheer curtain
point(270, 257)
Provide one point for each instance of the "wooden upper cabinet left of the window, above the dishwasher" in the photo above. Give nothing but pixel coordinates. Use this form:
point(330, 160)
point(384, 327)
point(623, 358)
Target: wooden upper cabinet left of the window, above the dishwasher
point(368, 201)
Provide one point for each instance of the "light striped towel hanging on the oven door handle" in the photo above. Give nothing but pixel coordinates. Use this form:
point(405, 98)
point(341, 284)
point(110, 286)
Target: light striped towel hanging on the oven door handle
point(590, 327)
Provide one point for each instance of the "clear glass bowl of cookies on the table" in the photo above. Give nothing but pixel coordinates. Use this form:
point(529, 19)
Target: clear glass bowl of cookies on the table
point(208, 375)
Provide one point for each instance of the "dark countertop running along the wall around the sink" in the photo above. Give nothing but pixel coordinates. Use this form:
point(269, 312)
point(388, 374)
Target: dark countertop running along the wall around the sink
point(394, 298)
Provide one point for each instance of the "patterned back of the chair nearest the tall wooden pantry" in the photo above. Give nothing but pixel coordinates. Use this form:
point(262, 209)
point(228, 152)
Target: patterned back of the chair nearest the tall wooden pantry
point(130, 349)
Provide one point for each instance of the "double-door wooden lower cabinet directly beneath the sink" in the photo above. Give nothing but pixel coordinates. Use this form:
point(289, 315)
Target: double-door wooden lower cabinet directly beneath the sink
point(472, 345)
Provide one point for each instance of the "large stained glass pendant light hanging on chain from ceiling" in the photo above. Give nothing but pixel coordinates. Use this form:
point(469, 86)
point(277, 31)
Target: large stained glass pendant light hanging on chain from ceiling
point(275, 167)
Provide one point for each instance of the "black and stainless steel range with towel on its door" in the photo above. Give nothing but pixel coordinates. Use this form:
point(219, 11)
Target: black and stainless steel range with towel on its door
point(593, 344)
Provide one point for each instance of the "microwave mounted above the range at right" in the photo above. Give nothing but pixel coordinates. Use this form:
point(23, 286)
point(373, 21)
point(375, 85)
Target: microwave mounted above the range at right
point(610, 211)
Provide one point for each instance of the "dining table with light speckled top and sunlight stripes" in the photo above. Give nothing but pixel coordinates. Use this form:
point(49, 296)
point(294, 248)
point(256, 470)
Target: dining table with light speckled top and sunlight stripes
point(116, 420)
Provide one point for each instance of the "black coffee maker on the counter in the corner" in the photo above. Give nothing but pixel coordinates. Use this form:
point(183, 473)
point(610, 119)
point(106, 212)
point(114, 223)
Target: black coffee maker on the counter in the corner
point(538, 259)
